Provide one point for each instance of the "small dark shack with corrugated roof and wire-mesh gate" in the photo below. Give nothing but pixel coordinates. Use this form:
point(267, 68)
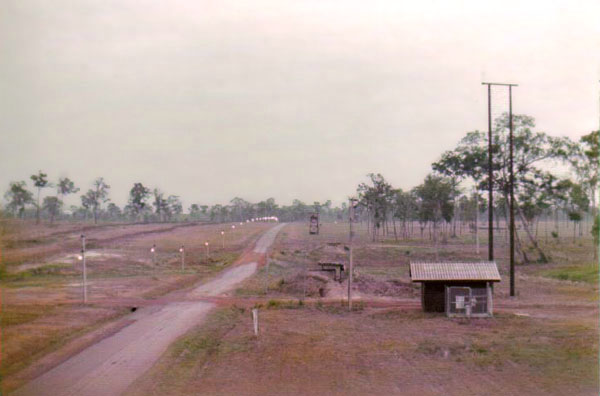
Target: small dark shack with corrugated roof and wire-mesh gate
point(459, 289)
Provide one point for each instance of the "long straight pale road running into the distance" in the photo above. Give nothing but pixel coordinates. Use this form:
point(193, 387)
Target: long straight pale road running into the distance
point(111, 365)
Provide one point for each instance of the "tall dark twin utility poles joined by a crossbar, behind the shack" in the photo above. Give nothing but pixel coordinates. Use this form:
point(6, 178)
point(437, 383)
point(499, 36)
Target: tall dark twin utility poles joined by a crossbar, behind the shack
point(511, 182)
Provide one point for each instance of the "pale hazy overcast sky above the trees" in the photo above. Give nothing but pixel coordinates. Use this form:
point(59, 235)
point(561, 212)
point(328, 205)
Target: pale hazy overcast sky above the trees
point(290, 99)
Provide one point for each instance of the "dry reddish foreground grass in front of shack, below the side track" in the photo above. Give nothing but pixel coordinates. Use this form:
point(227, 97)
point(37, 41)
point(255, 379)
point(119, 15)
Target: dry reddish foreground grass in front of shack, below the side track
point(330, 351)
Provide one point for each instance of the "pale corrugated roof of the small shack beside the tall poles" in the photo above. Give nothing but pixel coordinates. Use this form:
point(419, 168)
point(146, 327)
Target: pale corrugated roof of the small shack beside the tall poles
point(483, 270)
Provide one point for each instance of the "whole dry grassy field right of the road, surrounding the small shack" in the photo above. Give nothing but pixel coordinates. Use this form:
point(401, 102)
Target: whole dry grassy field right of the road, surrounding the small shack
point(543, 342)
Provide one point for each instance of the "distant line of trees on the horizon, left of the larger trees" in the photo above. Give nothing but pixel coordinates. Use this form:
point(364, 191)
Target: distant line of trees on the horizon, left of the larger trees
point(144, 205)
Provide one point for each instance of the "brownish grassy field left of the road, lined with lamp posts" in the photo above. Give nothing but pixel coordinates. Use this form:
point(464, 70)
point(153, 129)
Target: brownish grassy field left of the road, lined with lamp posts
point(41, 287)
